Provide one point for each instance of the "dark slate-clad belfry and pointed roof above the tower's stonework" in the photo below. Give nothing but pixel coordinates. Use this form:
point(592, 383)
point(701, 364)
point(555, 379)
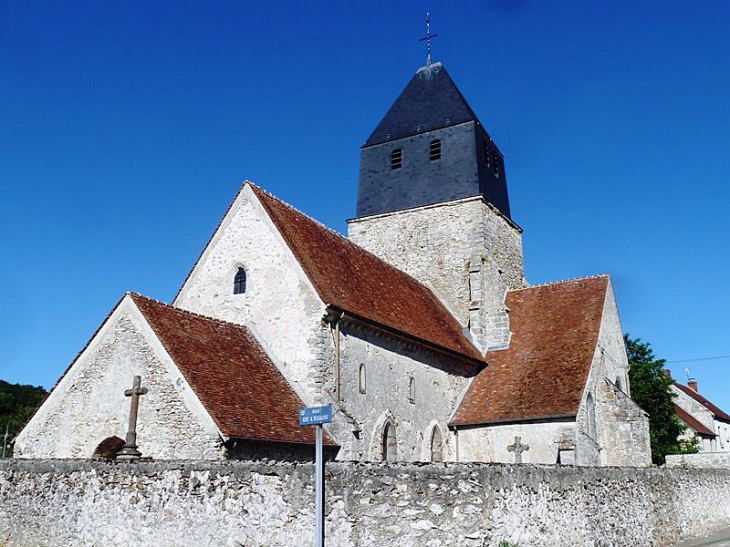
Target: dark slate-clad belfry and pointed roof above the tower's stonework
point(429, 148)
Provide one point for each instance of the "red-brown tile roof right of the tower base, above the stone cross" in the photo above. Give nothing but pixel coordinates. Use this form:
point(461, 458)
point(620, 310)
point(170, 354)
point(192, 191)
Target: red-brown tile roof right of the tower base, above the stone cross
point(544, 371)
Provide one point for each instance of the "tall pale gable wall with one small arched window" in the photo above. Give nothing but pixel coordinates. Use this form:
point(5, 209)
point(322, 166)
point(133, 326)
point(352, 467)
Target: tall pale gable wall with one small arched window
point(279, 305)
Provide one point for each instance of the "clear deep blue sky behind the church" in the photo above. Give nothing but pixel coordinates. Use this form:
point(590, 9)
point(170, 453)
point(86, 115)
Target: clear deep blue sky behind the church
point(127, 128)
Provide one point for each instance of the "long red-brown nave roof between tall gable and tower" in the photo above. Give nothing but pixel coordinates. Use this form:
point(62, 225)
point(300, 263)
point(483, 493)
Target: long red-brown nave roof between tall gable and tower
point(356, 281)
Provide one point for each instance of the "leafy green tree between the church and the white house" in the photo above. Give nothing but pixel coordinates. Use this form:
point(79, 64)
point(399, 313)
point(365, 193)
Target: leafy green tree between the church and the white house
point(651, 389)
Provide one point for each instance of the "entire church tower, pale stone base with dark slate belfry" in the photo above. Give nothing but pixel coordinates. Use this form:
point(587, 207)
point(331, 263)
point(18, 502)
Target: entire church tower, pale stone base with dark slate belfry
point(432, 201)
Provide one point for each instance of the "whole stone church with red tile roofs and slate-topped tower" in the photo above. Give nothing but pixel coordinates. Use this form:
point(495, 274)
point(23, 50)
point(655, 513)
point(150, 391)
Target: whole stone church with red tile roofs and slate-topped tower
point(419, 328)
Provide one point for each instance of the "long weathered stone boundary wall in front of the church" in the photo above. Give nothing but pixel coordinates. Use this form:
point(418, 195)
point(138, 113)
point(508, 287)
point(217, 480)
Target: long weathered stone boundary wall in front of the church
point(47, 503)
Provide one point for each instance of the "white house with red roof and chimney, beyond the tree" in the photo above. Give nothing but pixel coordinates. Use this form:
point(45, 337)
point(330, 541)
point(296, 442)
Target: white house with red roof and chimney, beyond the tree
point(705, 420)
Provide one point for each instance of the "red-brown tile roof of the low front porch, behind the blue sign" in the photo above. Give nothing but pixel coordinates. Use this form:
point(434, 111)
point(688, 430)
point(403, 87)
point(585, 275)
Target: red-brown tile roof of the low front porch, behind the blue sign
point(234, 379)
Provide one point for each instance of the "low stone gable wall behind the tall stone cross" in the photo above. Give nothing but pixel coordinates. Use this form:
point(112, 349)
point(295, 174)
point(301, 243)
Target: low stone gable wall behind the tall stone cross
point(89, 404)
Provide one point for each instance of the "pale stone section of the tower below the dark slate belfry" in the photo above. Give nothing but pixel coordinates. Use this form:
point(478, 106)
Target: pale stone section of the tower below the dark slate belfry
point(465, 250)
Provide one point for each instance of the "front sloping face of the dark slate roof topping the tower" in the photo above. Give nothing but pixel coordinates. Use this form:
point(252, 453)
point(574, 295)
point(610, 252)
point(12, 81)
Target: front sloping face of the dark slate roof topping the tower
point(430, 101)
